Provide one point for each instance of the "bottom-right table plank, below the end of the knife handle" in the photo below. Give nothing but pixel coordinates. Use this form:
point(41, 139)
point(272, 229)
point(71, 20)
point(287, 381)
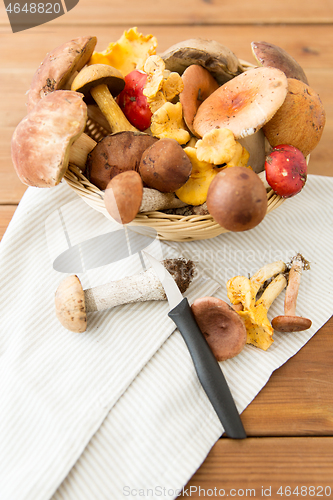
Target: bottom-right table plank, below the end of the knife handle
point(265, 465)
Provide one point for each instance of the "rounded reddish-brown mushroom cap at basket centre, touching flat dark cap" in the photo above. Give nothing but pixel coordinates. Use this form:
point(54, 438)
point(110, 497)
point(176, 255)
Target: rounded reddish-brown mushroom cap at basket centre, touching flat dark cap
point(164, 166)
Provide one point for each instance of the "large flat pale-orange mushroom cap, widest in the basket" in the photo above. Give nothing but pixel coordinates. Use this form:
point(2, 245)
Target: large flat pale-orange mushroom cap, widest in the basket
point(244, 104)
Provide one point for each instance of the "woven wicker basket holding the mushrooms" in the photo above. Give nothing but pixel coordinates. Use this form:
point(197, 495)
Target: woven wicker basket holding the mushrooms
point(168, 226)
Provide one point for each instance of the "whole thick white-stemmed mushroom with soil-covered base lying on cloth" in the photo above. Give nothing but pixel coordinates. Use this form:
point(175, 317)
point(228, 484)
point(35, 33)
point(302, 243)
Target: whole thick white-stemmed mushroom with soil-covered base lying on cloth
point(72, 303)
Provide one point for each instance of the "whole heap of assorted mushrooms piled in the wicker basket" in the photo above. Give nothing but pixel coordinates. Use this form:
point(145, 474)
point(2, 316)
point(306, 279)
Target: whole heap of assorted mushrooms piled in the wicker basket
point(192, 131)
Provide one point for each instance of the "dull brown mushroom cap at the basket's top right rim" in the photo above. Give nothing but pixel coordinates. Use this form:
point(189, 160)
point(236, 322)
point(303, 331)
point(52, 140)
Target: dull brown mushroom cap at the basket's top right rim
point(268, 54)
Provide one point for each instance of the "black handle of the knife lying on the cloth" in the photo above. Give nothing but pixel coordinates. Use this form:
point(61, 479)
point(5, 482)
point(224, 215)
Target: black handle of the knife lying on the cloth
point(208, 370)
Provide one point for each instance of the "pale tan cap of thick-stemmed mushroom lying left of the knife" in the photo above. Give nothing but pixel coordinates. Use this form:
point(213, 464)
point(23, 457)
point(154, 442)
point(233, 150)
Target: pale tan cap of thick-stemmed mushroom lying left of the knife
point(70, 305)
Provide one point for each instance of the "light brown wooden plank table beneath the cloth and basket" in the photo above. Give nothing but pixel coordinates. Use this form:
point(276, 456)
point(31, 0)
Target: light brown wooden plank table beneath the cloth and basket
point(290, 423)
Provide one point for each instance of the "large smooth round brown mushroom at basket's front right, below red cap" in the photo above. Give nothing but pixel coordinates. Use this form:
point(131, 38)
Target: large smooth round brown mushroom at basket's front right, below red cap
point(237, 199)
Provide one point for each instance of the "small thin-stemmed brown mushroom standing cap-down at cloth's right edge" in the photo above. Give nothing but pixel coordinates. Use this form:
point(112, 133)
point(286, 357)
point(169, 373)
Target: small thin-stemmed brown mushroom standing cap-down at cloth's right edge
point(290, 322)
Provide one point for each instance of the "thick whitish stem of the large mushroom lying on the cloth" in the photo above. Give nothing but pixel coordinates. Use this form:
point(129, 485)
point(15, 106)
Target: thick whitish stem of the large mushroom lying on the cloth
point(138, 288)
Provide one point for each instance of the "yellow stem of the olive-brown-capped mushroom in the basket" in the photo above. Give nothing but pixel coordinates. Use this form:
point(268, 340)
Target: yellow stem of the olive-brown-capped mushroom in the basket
point(110, 109)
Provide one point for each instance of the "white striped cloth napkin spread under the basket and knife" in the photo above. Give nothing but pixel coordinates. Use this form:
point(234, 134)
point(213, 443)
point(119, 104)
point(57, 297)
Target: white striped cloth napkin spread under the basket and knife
point(118, 412)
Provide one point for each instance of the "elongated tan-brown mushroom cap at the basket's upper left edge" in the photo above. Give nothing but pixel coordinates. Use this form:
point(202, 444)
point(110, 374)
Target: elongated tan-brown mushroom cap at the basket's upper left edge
point(58, 66)
